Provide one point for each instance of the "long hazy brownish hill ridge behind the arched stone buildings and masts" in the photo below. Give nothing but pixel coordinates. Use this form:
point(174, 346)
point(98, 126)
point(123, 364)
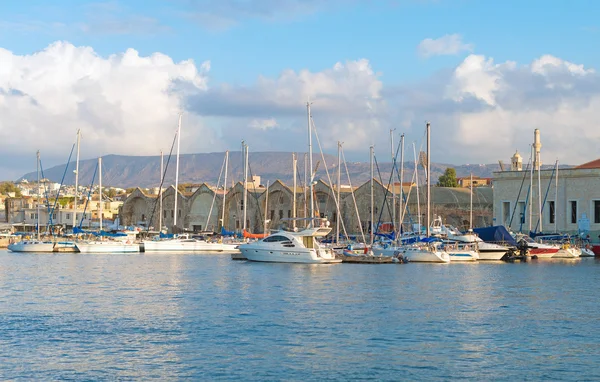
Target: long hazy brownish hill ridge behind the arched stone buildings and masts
point(143, 171)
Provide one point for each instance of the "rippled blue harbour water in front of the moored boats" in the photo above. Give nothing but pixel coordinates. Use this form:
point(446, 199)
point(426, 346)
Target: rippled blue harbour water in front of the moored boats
point(206, 317)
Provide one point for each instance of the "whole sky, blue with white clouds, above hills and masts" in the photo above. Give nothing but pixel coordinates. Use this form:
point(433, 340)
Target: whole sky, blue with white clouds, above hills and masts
point(484, 74)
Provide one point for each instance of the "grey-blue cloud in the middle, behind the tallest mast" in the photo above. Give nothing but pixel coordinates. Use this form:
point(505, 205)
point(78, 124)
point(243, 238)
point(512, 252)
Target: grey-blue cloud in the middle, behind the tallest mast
point(346, 101)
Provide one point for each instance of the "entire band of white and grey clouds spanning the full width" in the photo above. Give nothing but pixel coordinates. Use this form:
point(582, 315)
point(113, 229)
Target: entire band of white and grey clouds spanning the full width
point(481, 110)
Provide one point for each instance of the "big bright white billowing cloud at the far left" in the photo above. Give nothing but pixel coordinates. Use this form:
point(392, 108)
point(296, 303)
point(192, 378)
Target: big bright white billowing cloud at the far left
point(124, 103)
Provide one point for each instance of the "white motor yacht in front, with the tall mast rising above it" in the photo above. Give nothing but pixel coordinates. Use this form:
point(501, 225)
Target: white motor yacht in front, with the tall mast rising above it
point(295, 246)
